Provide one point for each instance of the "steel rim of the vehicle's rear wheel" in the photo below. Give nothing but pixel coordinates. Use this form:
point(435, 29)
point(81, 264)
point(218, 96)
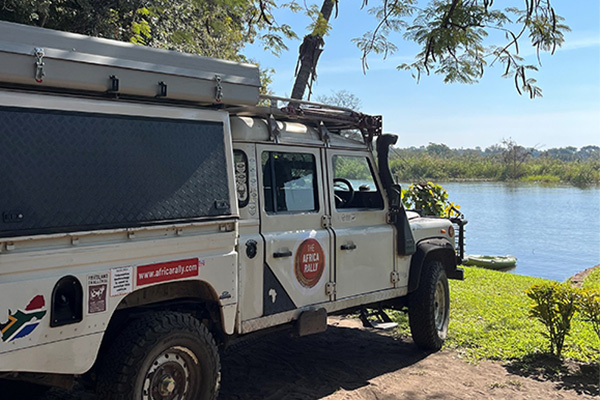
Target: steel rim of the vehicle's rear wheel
point(173, 375)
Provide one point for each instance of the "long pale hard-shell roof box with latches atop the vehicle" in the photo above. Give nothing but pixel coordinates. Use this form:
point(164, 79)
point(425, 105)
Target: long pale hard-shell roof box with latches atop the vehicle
point(41, 58)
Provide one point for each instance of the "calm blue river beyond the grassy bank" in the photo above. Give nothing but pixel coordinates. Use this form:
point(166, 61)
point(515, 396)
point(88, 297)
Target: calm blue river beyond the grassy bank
point(554, 231)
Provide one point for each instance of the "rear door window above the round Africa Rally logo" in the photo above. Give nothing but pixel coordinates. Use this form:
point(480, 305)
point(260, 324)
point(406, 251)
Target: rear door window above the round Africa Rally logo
point(289, 181)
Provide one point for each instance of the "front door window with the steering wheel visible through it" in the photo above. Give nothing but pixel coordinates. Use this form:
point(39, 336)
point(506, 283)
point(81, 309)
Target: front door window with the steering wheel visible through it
point(354, 185)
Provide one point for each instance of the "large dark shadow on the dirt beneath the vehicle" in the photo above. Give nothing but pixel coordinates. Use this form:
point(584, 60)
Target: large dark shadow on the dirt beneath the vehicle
point(277, 367)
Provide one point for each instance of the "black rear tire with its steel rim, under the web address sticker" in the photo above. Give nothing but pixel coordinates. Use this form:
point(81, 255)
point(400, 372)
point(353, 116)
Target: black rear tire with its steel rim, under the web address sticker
point(163, 355)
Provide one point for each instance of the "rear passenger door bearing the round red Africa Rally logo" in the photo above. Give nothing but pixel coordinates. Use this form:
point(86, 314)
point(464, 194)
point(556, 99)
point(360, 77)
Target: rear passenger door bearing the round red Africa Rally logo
point(297, 247)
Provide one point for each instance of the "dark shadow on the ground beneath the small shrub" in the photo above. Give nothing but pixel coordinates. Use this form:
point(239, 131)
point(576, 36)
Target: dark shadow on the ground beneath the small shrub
point(580, 377)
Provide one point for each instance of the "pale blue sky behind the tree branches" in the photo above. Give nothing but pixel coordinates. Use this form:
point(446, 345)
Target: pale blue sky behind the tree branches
point(459, 115)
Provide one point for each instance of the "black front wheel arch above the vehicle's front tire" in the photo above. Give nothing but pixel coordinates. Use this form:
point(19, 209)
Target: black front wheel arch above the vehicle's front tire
point(439, 249)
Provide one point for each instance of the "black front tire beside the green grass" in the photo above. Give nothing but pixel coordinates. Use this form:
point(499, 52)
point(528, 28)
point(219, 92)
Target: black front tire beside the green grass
point(429, 308)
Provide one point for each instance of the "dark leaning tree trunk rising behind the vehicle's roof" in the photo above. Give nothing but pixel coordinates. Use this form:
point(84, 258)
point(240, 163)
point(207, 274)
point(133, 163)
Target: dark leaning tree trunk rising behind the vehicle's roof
point(308, 56)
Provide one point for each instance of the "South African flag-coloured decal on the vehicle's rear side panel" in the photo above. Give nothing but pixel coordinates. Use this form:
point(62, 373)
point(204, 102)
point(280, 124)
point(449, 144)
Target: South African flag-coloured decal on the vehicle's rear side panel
point(22, 322)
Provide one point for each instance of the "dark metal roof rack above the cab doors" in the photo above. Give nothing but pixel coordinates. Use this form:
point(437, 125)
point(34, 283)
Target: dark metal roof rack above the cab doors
point(334, 118)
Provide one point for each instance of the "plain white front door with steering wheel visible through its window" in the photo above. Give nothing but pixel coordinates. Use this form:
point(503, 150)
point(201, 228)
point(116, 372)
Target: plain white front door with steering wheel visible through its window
point(364, 242)
